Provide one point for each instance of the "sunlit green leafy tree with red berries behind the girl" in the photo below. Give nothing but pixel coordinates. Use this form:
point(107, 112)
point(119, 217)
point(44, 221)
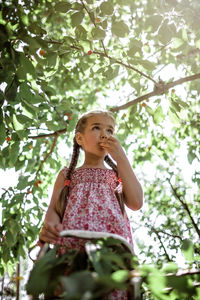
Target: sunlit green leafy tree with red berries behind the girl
point(61, 58)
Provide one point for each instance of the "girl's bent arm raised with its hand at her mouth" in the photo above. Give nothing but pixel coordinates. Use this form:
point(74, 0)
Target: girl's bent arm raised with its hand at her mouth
point(131, 186)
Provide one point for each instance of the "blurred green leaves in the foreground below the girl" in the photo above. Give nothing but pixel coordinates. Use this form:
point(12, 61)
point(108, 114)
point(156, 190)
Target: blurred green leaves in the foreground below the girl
point(104, 266)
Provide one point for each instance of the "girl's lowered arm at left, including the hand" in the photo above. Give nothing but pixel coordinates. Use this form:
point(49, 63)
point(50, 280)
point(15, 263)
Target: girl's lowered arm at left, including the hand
point(52, 222)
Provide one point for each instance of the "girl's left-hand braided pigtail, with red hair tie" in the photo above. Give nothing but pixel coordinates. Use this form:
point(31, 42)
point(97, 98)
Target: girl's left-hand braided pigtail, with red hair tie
point(62, 201)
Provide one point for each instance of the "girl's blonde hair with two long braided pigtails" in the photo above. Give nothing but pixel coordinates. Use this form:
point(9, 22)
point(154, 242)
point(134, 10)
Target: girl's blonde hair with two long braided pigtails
point(60, 204)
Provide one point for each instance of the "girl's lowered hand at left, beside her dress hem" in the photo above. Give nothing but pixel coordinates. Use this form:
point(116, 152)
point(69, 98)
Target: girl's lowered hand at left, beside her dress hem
point(50, 232)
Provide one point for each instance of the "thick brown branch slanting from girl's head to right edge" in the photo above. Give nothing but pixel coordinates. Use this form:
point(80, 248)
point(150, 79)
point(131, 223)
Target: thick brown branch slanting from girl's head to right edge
point(159, 90)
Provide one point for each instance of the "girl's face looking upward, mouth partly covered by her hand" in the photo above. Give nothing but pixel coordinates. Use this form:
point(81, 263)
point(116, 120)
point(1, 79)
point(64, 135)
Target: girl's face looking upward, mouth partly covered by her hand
point(98, 128)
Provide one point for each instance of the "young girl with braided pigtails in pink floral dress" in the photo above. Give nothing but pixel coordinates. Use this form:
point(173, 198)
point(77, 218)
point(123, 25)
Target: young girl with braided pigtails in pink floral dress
point(89, 197)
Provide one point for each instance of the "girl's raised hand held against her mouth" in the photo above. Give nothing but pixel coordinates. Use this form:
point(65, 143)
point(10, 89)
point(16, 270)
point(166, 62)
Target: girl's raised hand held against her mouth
point(113, 147)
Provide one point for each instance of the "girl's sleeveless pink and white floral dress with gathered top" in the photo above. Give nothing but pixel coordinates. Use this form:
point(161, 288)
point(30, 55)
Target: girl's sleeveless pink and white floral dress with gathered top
point(92, 205)
